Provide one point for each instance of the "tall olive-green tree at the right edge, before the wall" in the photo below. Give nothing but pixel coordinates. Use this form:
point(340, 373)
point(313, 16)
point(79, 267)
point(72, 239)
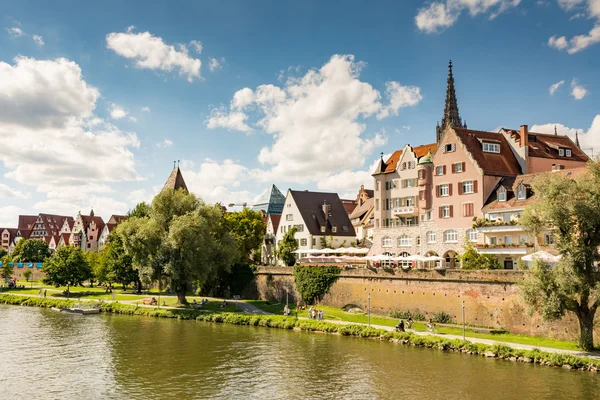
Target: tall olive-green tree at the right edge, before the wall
point(571, 205)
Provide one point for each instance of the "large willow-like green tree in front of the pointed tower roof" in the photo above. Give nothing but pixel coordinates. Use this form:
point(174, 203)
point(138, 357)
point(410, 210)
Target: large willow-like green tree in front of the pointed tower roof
point(182, 240)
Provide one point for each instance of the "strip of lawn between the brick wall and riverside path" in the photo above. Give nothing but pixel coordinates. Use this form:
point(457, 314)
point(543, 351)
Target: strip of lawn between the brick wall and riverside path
point(332, 313)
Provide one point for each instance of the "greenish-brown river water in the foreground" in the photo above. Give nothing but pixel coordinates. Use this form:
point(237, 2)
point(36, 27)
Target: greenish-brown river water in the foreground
point(50, 355)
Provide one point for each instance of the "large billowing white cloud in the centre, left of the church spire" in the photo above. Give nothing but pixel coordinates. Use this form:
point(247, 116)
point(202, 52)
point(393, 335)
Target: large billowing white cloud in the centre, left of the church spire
point(317, 120)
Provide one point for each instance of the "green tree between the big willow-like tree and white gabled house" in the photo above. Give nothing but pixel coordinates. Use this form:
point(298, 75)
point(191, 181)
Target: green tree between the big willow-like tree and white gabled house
point(248, 228)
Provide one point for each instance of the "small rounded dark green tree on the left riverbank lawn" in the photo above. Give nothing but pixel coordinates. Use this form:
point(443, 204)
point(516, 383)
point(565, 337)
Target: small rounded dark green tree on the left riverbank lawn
point(67, 267)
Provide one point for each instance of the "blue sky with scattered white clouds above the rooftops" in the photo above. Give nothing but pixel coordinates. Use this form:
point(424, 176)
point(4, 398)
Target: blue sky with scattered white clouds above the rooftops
point(99, 98)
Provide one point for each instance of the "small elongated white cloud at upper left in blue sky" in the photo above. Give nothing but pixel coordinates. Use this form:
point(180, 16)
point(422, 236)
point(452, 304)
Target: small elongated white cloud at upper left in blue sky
point(151, 52)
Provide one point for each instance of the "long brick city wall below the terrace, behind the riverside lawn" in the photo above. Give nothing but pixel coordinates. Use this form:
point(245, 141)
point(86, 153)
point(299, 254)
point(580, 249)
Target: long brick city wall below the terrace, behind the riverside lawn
point(491, 298)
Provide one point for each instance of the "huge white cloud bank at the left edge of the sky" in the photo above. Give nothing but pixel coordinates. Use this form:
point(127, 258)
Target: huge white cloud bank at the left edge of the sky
point(50, 137)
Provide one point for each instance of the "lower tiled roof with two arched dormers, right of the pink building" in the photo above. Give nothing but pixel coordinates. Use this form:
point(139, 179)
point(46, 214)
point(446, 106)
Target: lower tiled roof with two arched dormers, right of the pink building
point(512, 182)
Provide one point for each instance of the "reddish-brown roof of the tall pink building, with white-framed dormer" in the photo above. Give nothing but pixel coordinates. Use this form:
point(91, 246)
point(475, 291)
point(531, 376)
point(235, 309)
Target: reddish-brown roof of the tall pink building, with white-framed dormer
point(503, 164)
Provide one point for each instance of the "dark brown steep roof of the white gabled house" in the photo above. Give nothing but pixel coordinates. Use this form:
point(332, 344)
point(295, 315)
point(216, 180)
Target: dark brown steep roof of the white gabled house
point(310, 205)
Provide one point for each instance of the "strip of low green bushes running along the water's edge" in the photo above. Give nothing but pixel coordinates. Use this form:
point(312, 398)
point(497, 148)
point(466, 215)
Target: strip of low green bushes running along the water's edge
point(274, 321)
